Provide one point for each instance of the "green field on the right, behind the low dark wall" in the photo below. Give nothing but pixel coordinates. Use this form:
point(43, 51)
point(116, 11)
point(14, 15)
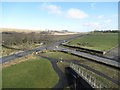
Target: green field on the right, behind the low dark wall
point(96, 41)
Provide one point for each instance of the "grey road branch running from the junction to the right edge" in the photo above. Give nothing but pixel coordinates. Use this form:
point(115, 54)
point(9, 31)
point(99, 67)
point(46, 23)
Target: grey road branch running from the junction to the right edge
point(88, 56)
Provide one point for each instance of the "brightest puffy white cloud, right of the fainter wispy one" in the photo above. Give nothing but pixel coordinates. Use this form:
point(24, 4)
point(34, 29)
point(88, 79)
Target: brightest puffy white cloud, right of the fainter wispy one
point(75, 13)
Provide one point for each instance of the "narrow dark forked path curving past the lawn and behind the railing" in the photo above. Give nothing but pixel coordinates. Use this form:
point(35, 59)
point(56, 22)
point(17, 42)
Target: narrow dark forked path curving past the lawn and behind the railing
point(63, 78)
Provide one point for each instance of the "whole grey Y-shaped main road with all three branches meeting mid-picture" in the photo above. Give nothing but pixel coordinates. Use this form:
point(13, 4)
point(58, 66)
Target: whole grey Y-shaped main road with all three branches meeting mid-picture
point(53, 47)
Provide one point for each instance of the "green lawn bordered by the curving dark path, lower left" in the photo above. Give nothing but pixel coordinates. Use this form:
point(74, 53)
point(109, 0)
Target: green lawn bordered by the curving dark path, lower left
point(36, 73)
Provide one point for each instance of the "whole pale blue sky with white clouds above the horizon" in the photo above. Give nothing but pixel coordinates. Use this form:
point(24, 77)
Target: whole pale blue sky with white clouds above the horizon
point(72, 16)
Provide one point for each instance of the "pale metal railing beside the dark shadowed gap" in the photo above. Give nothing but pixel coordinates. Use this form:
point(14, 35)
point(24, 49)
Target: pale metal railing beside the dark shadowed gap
point(92, 80)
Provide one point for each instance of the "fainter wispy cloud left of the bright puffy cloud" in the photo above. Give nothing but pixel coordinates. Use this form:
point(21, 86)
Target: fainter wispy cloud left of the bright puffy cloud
point(54, 9)
